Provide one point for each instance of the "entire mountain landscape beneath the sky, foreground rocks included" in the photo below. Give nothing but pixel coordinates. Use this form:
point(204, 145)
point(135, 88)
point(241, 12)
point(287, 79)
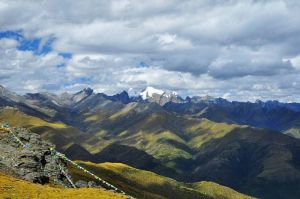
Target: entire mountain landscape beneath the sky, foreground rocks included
point(197, 147)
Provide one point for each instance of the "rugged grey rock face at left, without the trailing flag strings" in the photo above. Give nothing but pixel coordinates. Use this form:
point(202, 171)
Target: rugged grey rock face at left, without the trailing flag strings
point(34, 162)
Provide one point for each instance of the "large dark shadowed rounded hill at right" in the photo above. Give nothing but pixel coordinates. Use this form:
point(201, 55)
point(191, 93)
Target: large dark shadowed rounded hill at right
point(252, 161)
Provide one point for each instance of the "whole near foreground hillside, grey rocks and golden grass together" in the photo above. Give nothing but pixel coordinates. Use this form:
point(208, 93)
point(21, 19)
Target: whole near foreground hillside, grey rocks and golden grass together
point(26, 156)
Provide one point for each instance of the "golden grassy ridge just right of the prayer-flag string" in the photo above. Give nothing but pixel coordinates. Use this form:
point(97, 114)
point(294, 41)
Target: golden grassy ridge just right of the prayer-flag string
point(138, 183)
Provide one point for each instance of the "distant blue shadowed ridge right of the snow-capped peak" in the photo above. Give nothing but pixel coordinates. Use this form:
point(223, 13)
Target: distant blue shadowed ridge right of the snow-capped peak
point(272, 114)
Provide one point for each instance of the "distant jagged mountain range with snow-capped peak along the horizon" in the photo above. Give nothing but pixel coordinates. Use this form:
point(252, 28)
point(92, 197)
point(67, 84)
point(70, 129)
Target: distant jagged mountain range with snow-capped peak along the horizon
point(283, 117)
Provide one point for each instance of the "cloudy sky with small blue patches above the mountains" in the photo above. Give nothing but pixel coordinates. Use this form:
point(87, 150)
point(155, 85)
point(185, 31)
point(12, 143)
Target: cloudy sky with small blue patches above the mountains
point(239, 50)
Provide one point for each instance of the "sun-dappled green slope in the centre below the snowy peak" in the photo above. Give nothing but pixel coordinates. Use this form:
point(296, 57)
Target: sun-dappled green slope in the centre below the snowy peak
point(164, 135)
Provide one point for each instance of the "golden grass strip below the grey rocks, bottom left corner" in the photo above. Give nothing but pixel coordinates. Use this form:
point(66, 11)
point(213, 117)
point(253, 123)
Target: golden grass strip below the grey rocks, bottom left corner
point(19, 189)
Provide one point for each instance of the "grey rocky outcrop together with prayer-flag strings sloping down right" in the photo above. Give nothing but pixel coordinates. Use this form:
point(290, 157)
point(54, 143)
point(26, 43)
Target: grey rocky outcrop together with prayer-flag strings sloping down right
point(25, 155)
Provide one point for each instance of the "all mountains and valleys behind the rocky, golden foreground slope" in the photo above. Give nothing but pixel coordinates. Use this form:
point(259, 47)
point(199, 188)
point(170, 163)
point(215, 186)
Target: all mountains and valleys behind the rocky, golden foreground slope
point(251, 147)
